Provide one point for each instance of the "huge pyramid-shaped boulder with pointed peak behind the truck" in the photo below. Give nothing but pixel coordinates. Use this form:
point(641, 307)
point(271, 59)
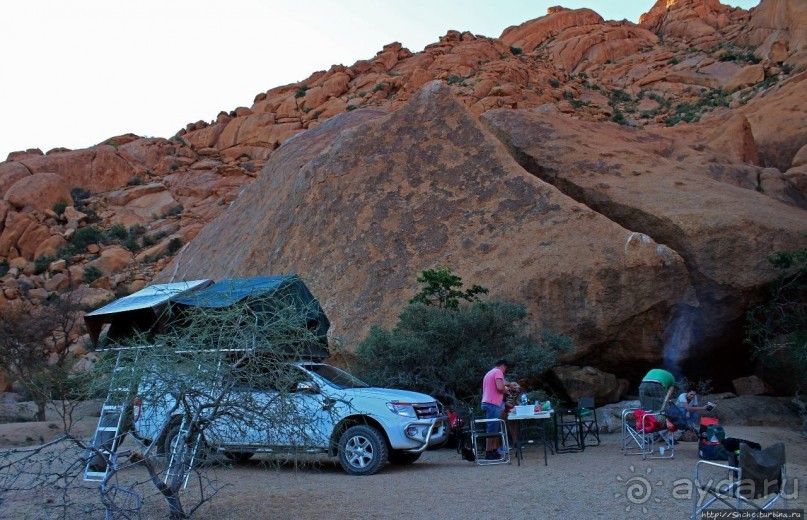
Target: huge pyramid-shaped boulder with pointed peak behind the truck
point(361, 205)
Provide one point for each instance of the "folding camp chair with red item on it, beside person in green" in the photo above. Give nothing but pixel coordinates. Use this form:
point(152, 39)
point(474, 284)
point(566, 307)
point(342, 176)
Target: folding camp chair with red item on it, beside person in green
point(645, 433)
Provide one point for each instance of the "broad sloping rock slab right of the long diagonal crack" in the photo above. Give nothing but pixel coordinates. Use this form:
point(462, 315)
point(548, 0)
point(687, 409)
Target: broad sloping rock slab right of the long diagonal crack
point(673, 189)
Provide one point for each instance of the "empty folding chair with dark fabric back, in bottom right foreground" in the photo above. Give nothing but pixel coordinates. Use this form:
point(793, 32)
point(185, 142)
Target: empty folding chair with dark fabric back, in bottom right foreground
point(753, 475)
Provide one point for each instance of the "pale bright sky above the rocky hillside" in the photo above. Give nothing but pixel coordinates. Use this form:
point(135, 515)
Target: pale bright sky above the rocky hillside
point(78, 72)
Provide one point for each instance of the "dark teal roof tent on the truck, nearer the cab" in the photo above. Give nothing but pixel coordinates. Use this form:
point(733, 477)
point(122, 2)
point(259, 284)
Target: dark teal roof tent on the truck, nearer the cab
point(263, 296)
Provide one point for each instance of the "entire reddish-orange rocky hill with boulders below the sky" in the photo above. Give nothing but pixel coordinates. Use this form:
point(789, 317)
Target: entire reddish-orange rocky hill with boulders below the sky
point(626, 181)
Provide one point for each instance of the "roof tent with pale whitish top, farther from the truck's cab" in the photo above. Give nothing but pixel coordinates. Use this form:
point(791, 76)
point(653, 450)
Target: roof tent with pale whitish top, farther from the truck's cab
point(140, 311)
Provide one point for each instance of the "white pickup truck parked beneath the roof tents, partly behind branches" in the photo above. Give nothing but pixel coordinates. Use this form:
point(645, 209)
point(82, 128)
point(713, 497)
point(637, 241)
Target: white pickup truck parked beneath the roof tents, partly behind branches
point(336, 413)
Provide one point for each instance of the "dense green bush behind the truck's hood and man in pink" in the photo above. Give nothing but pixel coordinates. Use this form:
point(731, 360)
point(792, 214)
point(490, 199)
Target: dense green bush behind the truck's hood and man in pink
point(444, 352)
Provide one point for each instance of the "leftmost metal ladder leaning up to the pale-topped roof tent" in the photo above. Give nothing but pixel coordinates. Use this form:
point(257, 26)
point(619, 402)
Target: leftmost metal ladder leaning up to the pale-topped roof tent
point(107, 437)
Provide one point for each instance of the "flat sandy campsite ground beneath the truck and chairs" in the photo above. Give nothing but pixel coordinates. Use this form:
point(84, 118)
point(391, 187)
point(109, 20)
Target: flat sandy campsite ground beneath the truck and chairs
point(600, 482)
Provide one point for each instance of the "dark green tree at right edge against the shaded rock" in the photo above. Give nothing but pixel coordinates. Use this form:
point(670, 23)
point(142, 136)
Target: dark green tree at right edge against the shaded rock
point(777, 329)
